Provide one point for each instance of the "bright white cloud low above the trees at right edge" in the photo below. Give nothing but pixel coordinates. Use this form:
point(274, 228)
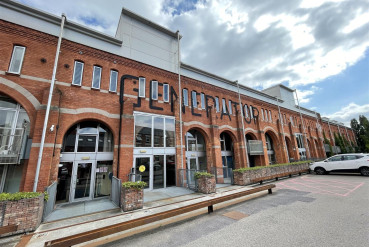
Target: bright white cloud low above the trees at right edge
point(349, 112)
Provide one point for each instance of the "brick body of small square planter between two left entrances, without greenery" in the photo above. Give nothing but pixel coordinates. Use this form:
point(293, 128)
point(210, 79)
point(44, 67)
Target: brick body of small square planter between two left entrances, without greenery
point(131, 199)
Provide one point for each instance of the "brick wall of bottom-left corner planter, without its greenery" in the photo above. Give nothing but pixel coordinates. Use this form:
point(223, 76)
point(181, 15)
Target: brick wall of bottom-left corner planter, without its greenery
point(24, 213)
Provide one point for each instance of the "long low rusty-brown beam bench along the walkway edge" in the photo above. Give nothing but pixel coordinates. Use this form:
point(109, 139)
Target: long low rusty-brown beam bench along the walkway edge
point(108, 230)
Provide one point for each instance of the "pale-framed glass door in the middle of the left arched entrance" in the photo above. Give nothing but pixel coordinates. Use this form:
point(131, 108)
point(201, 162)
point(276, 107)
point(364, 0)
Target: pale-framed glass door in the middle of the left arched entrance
point(82, 186)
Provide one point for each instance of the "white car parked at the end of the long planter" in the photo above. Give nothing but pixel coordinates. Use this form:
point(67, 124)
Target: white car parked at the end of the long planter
point(343, 163)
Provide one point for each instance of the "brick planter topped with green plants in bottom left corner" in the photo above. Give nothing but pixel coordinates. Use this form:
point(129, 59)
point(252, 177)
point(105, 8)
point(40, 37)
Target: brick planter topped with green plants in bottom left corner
point(23, 209)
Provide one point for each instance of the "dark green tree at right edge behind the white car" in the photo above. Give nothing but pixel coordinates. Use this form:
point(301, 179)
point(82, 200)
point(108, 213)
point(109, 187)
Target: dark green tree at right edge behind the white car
point(361, 130)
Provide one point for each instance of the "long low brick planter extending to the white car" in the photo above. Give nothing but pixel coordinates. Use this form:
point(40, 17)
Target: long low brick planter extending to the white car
point(267, 173)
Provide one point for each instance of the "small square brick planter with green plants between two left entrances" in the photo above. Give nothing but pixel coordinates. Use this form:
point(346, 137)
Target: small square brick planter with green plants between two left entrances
point(132, 195)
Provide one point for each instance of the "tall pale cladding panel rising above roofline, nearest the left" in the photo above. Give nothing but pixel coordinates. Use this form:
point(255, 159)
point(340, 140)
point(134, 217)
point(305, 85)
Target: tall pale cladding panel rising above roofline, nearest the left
point(148, 45)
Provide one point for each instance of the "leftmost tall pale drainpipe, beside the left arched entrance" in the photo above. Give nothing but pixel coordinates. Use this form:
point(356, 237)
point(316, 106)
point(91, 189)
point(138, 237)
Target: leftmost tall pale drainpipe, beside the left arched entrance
point(49, 104)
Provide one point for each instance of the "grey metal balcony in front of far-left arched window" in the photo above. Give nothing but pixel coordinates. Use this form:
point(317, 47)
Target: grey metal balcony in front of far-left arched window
point(10, 145)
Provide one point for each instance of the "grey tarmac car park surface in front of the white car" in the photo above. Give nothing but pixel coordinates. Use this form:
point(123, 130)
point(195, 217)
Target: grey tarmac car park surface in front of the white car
point(308, 210)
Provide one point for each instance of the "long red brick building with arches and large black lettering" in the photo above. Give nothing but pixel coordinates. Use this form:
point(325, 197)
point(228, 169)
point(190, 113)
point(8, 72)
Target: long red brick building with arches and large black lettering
point(116, 107)
